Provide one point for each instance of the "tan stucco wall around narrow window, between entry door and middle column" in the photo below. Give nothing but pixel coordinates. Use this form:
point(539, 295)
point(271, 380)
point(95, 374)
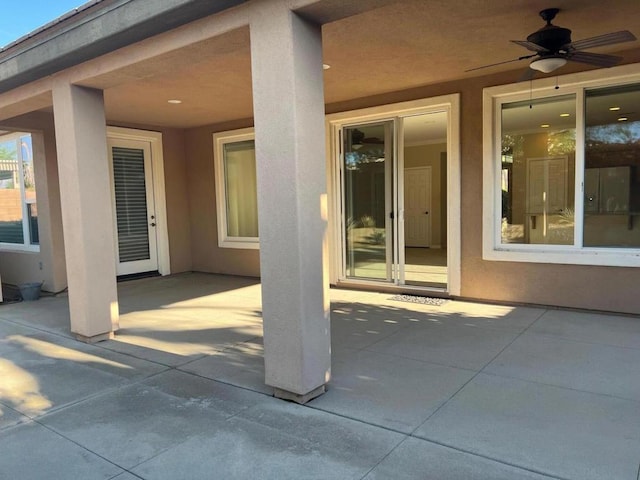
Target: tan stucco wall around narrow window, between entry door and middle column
point(207, 256)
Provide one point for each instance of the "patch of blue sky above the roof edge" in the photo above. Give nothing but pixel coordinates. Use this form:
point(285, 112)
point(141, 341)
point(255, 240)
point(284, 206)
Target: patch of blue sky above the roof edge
point(20, 17)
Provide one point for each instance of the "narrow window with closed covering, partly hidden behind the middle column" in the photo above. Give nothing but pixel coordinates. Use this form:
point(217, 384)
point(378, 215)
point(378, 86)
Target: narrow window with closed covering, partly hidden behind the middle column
point(236, 190)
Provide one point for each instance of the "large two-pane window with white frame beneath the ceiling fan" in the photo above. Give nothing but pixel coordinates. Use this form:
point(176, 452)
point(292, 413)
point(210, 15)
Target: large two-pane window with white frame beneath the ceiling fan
point(564, 166)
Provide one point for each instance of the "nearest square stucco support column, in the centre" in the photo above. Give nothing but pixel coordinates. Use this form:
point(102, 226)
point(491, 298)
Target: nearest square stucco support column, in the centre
point(288, 104)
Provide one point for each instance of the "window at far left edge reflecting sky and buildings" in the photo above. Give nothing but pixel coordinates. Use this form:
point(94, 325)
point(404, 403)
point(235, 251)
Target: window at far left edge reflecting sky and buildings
point(18, 207)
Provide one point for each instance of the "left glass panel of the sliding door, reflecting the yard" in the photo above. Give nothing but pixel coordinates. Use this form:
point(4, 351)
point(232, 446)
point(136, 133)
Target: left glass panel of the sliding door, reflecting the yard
point(368, 205)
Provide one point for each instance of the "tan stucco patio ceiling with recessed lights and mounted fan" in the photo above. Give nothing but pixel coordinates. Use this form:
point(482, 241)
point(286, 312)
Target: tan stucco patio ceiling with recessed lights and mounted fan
point(403, 45)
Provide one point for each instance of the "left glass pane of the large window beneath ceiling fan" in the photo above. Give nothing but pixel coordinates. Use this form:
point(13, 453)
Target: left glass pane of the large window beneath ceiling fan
point(538, 156)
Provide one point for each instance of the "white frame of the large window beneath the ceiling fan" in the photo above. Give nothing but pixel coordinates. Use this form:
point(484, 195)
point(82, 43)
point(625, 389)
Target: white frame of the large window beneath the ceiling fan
point(493, 99)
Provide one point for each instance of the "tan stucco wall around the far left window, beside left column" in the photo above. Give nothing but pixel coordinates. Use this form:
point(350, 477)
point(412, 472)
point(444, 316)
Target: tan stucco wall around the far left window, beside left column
point(47, 265)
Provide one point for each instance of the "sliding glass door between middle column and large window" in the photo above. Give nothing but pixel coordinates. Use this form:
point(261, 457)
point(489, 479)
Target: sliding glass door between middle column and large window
point(394, 200)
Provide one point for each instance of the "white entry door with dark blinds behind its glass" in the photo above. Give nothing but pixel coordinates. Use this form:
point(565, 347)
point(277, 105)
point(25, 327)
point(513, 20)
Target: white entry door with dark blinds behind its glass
point(133, 206)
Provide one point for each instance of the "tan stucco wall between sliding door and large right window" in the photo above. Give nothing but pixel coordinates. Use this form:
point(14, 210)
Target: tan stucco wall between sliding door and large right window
point(576, 286)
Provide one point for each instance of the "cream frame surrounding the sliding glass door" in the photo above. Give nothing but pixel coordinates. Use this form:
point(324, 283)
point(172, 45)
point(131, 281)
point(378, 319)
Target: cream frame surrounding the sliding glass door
point(334, 125)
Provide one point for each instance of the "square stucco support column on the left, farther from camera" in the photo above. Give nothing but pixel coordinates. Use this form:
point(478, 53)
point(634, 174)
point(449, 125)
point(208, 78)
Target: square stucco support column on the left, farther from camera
point(87, 213)
